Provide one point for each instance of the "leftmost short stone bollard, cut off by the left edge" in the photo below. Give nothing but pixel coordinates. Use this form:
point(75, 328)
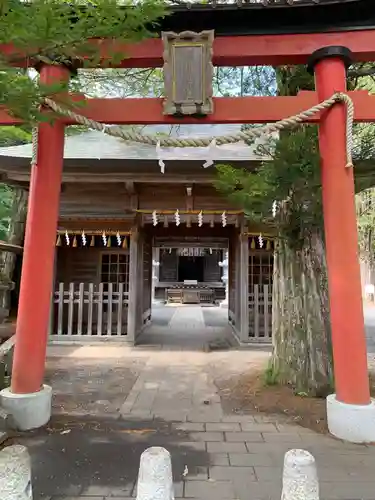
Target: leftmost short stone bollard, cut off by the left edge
point(15, 474)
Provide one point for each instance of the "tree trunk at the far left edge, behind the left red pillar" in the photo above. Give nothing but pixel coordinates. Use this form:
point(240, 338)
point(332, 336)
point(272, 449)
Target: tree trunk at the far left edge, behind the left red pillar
point(15, 237)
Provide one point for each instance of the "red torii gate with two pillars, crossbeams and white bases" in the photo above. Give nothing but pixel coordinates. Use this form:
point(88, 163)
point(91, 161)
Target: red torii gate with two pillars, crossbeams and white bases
point(351, 412)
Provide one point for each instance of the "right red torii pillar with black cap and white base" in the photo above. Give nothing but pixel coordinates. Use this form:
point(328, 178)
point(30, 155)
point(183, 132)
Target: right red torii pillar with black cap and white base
point(351, 411)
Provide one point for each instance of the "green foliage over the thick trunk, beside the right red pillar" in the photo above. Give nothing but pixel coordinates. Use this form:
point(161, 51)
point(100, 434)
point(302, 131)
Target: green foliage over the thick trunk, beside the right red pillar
point(291, 175)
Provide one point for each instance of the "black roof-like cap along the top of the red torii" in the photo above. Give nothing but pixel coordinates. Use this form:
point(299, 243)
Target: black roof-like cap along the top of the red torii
point(247, 17)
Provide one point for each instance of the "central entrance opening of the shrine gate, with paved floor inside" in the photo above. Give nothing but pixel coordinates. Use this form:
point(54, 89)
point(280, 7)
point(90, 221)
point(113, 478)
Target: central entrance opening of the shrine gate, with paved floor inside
point(189, 307)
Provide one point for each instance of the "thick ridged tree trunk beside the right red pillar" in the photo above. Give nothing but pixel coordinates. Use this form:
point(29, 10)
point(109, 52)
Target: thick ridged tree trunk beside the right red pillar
point(302, 353)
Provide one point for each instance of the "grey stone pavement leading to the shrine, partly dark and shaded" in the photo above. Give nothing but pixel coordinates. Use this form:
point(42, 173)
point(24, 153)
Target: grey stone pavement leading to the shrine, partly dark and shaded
point(113, 402)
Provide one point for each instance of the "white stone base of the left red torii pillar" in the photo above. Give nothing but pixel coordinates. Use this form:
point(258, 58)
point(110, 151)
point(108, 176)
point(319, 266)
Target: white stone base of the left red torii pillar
point(29, 411)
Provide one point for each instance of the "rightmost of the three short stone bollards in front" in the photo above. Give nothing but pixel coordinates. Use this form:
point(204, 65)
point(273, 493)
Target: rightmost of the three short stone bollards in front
point(300, 477)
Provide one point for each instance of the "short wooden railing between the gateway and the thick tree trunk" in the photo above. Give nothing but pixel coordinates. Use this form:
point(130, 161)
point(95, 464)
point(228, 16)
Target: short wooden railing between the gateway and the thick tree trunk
point(260, 314)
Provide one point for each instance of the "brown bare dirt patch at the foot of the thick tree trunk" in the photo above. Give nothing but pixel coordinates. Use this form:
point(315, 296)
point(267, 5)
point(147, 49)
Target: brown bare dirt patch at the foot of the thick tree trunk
point(248, 394)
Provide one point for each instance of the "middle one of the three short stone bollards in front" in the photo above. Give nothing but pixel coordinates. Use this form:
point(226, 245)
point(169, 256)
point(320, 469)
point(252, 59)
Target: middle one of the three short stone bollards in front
point(155, 480)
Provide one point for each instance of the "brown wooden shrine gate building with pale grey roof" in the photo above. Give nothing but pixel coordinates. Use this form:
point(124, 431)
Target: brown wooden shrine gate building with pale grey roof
point(119, 212)
